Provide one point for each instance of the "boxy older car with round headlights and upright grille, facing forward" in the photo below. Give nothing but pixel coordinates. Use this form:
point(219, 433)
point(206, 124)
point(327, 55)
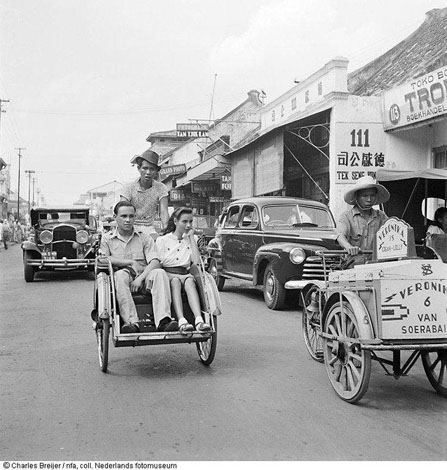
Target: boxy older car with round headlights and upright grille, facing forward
point(60, 239)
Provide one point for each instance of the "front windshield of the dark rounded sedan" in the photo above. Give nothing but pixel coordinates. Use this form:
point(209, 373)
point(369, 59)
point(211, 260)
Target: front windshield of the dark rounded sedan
point(294, 215)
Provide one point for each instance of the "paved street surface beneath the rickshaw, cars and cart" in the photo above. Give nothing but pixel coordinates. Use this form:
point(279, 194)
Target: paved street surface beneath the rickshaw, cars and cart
point(263, 398)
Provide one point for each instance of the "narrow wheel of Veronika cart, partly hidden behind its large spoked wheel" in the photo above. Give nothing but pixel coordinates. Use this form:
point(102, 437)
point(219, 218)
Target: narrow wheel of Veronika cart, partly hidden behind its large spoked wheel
point(311, 325)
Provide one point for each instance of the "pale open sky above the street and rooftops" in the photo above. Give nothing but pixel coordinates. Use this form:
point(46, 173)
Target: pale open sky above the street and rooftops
point(89, 80)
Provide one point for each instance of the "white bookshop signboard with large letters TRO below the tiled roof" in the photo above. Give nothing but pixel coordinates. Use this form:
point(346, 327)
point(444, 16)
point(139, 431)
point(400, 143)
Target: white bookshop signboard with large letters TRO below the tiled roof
point(416, 101)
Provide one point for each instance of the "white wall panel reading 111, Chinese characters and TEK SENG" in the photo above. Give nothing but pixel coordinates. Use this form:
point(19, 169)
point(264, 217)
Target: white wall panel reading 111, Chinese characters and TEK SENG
point(359, 151)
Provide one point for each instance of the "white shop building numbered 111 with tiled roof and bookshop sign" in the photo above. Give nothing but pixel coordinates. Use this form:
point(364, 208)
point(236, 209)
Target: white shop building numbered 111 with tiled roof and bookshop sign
point(330, 129)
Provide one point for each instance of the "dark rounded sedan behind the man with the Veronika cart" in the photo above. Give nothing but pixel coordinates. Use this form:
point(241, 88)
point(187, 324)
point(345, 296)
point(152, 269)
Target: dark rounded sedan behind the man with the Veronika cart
point(269, 241)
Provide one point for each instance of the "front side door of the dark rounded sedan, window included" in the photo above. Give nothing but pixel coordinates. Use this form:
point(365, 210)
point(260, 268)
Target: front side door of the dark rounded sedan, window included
point(247, 239)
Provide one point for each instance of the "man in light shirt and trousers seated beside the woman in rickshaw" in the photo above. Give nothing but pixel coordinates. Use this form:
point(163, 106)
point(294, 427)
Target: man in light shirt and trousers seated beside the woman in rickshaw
point(135, 256)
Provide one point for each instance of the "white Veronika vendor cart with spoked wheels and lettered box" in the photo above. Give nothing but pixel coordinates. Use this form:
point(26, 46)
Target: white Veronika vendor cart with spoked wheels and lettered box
point(395, 303)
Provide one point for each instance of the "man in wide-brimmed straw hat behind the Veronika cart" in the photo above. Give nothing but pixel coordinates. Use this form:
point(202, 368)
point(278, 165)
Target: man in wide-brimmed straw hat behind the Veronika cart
point(357, 227)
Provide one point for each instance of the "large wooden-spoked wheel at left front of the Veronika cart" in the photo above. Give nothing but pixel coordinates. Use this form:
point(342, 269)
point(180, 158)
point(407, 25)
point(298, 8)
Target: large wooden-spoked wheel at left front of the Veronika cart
point(347, 365)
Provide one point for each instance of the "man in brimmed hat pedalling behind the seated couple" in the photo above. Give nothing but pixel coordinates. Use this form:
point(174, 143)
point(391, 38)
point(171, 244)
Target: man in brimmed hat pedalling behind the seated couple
point(147, 194)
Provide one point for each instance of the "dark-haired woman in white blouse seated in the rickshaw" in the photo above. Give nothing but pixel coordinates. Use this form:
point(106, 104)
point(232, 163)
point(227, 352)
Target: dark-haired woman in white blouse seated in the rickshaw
point(177, 248)
